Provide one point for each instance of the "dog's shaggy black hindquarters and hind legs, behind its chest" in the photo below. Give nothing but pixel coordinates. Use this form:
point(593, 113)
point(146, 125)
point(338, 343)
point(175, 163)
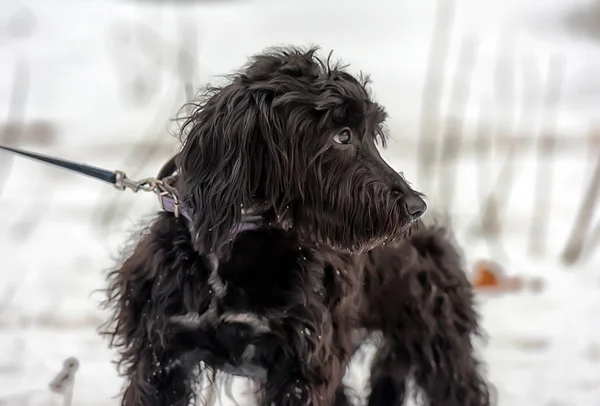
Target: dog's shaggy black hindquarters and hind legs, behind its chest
point(421, 300)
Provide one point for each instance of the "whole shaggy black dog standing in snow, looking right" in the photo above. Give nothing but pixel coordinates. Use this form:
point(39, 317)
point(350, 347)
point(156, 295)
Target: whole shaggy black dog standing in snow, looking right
point(299, 236)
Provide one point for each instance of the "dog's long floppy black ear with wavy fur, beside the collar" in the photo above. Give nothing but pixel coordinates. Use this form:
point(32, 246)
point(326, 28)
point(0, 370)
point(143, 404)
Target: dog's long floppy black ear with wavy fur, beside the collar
point(221, 162)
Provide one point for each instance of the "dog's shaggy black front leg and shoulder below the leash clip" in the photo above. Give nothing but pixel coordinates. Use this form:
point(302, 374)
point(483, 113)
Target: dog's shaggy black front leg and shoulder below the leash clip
point(162, 278)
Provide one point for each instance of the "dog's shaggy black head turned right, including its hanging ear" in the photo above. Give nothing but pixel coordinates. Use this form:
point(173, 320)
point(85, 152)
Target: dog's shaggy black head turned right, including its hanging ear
point(298, 138)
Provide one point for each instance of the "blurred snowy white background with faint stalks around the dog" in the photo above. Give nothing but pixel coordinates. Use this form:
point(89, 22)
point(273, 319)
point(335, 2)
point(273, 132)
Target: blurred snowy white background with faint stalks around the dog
point(494, 109)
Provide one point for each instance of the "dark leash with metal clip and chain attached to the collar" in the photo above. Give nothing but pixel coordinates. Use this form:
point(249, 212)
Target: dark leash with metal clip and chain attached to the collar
point(161, 185)
